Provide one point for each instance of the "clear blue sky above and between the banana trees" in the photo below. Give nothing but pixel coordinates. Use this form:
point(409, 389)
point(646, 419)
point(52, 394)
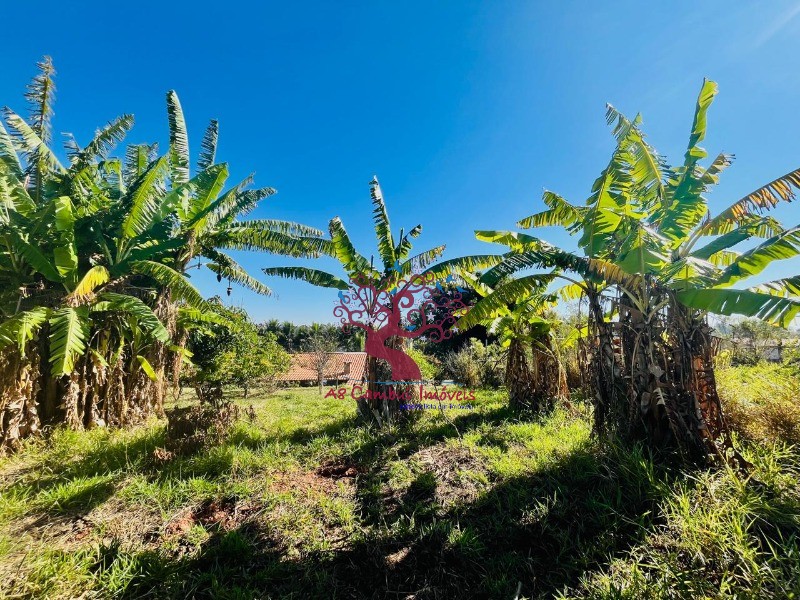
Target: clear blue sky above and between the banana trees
point(464, 110)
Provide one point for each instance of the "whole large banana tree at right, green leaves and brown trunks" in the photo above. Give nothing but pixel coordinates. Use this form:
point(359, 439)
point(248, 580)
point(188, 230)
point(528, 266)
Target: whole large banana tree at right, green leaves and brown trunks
point(644, 220)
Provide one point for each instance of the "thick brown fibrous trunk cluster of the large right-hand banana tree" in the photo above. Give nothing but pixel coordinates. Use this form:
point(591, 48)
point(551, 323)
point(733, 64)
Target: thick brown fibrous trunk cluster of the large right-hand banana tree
point(653, 376)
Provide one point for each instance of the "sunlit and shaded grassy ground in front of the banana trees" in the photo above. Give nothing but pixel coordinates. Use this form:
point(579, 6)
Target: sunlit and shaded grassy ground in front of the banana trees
point(299, 502)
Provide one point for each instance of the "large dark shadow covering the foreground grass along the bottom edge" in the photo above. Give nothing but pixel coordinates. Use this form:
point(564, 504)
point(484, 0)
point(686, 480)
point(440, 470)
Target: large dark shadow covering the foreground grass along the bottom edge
point(544, 530)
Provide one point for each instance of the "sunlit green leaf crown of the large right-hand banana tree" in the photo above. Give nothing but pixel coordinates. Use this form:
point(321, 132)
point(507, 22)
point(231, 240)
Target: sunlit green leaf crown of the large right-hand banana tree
point(648, 218)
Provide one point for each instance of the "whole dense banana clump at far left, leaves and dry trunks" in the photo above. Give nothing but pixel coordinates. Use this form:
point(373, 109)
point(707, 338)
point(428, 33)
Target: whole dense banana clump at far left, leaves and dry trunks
point(95, 252)
